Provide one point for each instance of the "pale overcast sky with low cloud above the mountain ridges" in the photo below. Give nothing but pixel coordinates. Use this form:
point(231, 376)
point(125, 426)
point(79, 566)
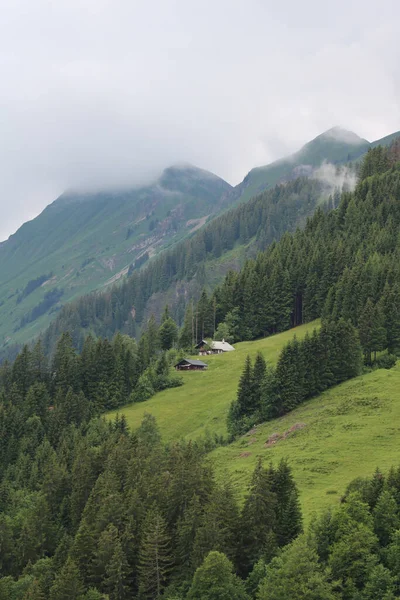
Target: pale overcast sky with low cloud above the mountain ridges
point(106, 93)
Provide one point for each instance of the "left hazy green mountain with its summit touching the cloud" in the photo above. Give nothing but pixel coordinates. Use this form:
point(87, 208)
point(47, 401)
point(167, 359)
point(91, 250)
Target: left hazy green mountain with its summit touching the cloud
point(81, 242)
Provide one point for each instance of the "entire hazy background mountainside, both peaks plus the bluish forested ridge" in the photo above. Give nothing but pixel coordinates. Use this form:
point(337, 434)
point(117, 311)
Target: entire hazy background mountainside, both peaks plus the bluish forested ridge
point(86, 242)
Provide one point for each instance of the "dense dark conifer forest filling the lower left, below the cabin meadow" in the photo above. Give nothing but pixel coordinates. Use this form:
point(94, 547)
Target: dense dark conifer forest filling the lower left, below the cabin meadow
point(91, 511)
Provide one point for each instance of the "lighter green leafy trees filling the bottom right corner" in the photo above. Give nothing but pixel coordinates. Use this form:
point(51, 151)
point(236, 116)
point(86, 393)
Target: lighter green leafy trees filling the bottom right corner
point(350, 553)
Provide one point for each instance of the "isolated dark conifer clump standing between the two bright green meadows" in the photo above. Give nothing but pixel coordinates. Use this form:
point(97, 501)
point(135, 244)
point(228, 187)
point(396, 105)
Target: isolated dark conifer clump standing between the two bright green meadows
point(305, 368)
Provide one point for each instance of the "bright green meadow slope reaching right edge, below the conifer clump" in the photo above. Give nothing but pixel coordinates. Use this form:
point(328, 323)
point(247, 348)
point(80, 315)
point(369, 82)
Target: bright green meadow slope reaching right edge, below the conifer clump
point(347, 432)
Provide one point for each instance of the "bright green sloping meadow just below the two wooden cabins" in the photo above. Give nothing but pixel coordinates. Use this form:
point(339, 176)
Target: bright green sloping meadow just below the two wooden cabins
point(202, 403)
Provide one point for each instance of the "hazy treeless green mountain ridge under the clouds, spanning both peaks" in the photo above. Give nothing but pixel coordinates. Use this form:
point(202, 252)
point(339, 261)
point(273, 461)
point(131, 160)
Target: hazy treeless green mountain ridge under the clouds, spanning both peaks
point(88, 240)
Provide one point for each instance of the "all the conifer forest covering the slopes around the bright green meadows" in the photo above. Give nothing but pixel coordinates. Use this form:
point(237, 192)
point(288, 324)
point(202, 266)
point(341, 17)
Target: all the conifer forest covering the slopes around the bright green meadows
point(91, 510)
